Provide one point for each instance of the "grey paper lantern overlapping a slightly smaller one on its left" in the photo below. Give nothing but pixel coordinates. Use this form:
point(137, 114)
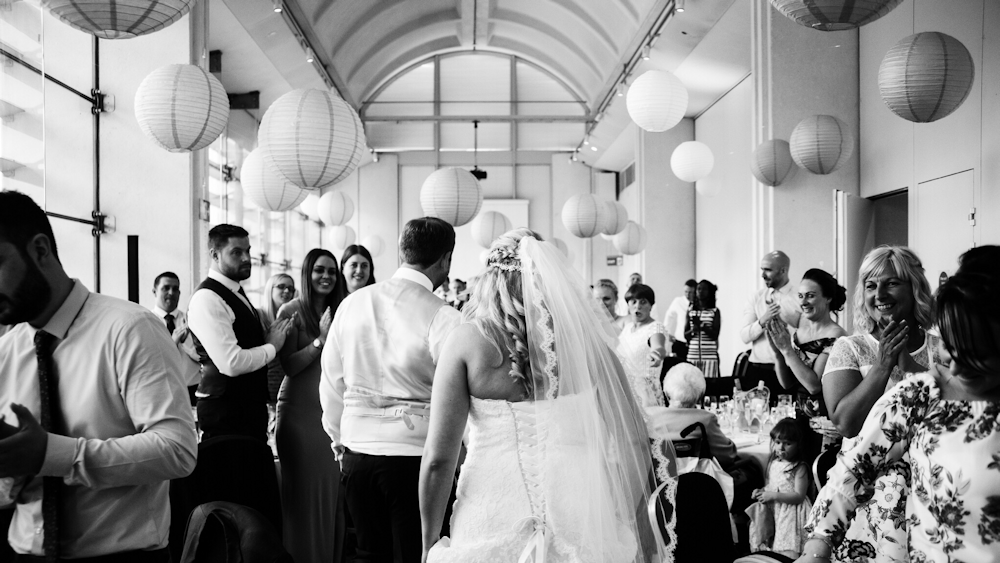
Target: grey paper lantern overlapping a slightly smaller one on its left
point(821, 144)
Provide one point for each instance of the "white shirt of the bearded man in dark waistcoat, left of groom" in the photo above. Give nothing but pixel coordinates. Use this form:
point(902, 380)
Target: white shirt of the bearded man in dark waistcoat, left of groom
point(211, 319)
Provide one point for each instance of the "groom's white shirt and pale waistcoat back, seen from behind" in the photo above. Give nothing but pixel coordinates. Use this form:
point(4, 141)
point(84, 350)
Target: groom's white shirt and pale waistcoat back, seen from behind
point(378, 365)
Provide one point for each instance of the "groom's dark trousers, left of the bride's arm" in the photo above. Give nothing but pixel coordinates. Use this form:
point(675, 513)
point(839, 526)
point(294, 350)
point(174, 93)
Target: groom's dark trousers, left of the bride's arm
point(382, 499)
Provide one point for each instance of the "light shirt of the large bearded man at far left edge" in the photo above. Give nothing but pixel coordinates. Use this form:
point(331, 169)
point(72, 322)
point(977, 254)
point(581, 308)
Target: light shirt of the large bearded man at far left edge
point(129, 421)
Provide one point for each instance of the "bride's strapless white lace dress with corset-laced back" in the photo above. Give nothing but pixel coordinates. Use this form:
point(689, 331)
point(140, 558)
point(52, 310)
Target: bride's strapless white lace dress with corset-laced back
point(503, 501)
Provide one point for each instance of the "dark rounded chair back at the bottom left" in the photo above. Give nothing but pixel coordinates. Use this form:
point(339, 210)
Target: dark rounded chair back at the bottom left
point(225, 532)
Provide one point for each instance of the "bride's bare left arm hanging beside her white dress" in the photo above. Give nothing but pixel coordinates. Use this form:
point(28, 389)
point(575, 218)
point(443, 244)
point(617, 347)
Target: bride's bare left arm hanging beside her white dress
point(449, 413)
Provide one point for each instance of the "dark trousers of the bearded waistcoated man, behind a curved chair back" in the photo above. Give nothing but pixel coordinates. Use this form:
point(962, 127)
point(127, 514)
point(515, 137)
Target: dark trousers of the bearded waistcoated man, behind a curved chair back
point(235, 469)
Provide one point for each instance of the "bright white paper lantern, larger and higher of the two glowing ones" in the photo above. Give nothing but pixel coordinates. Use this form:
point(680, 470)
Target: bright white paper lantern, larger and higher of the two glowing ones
point(657, 100)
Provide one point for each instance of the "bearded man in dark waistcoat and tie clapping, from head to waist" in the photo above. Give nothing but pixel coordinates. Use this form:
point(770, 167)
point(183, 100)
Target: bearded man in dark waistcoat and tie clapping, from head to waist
point(232, 396)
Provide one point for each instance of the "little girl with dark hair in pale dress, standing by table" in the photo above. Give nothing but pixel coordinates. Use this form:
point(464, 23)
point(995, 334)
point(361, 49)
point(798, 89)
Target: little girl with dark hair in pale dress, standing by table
point(787, 483)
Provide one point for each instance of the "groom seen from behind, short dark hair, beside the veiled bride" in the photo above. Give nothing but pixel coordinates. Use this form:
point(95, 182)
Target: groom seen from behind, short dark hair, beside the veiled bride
point(378, 367)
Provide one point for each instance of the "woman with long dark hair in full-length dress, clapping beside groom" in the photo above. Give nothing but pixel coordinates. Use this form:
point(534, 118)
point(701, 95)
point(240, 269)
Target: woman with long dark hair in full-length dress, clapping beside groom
point(312, 510)
